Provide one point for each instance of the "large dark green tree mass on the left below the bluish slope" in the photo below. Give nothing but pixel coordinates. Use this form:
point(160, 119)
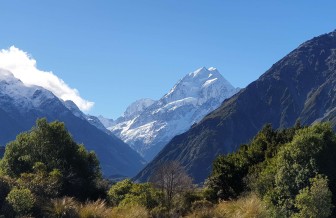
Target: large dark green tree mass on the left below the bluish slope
point(48, 152)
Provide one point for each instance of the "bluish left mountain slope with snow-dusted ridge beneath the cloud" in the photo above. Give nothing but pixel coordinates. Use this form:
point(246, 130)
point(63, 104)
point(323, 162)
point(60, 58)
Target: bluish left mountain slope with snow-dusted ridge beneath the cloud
point(21, 105)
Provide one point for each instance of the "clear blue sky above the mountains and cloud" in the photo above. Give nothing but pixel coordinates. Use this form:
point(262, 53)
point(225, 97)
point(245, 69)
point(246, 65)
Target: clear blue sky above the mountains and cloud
point(115, 52)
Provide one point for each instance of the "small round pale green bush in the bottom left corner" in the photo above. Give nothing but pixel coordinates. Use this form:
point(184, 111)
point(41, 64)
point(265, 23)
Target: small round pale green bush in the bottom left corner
point(21, 200)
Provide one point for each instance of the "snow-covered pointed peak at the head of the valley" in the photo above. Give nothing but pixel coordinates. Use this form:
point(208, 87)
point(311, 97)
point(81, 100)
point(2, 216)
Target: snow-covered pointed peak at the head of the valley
point(148, 125)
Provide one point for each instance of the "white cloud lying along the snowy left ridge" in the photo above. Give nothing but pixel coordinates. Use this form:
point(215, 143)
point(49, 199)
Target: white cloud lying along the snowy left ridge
point(23, 66)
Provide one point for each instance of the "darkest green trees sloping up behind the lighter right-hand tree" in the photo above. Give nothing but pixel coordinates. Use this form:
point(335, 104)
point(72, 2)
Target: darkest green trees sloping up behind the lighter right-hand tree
point(226, 180)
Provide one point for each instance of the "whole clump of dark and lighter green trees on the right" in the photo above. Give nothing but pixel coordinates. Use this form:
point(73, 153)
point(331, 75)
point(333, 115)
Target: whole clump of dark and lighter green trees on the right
point(284, 167)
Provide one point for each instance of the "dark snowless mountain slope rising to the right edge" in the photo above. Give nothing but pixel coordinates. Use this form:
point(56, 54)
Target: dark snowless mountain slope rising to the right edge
point(301, 86)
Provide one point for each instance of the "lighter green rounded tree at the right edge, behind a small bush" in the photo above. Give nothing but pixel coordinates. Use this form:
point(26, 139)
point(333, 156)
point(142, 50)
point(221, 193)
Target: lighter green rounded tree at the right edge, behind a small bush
point(311, 152)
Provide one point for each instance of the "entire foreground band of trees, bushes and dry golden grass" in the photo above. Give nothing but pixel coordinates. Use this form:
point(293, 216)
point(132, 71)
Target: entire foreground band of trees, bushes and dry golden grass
point(280, 173)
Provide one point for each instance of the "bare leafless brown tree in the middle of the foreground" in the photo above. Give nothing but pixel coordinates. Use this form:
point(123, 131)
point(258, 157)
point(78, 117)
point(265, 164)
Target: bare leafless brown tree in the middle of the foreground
point(172, 180)
